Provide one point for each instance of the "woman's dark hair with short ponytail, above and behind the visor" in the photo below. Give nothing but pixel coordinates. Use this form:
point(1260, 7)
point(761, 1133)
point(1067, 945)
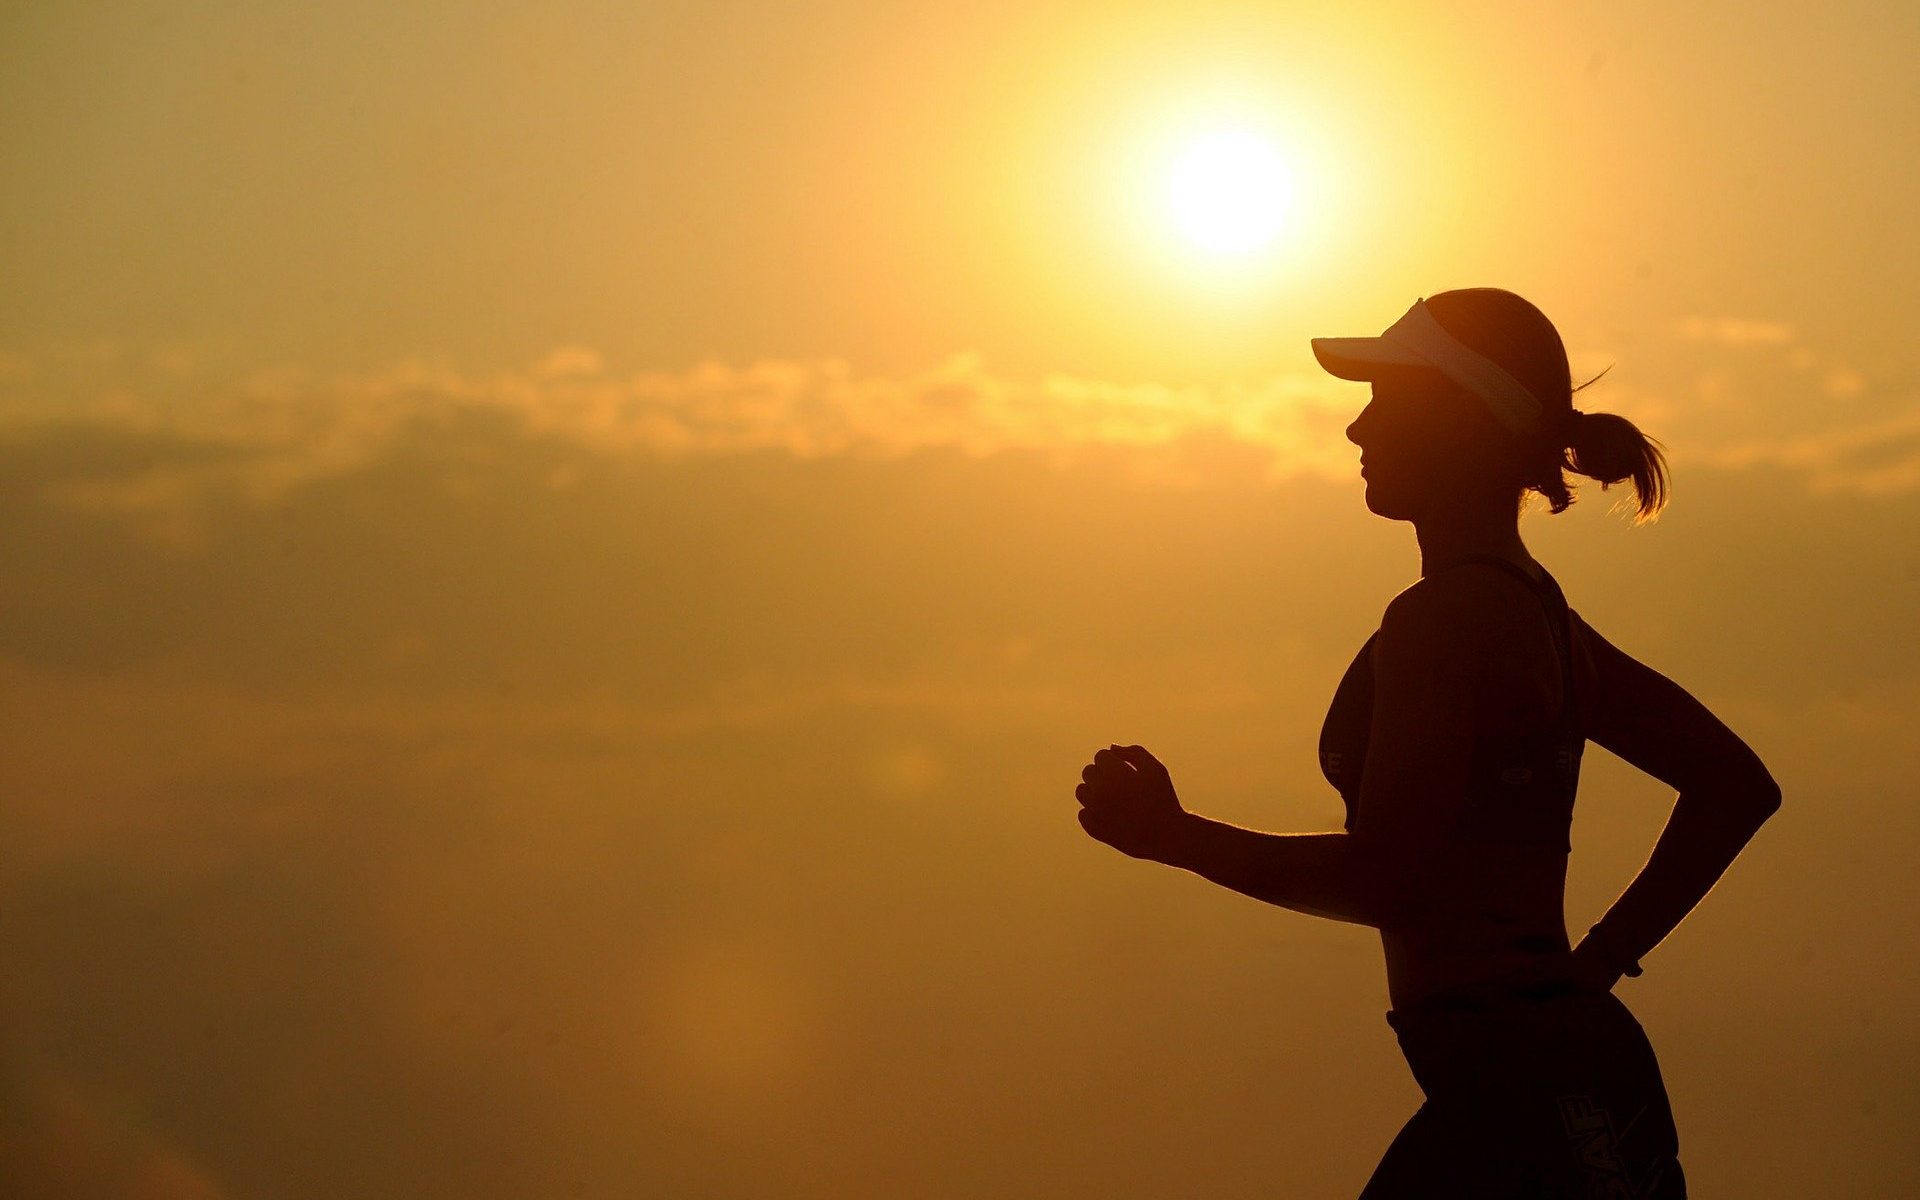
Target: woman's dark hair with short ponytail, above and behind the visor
point(1602, 446)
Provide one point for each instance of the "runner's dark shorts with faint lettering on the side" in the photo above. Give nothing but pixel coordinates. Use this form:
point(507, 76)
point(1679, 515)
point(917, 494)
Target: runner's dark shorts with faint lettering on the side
point(1531, 1099)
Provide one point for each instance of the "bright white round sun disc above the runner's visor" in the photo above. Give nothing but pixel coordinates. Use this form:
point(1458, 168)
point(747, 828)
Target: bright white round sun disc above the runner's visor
point(1230, 191)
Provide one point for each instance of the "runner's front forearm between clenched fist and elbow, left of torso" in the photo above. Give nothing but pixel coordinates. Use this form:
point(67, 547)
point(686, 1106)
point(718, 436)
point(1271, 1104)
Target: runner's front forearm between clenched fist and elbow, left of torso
point(1320, 875)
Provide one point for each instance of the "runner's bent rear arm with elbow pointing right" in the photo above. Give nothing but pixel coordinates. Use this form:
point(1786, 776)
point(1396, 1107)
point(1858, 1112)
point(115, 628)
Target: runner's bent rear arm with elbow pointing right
point(1725, 796)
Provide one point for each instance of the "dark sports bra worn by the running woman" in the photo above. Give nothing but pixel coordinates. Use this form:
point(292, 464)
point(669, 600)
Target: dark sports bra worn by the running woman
point(1520, 788)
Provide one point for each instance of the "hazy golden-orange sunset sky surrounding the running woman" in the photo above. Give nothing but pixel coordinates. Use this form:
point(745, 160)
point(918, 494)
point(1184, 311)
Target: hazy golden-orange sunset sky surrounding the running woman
point(564, 562)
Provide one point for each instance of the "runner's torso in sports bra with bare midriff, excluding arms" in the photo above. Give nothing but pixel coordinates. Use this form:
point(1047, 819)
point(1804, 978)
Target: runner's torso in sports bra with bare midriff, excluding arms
point(1502, 924)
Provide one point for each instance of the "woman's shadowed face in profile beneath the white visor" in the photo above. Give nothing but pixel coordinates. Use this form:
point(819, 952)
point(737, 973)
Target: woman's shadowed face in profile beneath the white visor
point(1422, 444)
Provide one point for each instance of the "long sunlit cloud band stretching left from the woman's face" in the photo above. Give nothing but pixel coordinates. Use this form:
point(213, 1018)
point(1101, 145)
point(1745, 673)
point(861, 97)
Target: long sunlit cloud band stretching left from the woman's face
point(272, 431)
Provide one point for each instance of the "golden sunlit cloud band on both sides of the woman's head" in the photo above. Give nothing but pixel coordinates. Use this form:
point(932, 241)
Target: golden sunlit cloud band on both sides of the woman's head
point(266, 433)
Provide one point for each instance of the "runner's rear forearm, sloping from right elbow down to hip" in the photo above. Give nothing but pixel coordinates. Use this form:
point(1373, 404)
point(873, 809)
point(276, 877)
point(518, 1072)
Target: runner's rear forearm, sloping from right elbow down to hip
point(1700, 842)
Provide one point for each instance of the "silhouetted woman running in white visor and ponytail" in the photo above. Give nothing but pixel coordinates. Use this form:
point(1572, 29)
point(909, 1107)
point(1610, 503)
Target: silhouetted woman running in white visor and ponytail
point(1454, 742)
